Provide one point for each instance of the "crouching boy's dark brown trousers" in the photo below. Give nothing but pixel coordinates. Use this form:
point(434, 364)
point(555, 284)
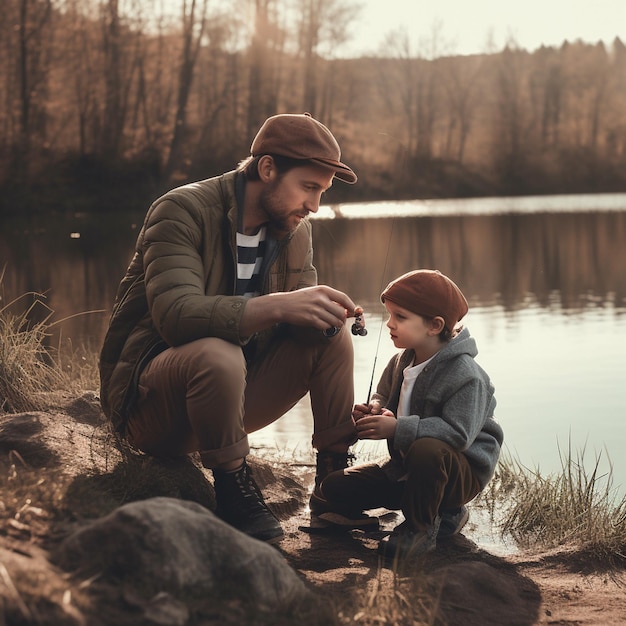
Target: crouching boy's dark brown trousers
point(438, 478)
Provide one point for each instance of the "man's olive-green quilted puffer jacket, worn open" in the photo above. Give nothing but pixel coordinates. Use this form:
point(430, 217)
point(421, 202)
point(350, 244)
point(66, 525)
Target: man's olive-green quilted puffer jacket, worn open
point(179, 285)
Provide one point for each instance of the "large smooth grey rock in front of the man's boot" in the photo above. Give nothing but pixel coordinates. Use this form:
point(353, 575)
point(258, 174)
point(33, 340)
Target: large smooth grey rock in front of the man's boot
point(178, 547)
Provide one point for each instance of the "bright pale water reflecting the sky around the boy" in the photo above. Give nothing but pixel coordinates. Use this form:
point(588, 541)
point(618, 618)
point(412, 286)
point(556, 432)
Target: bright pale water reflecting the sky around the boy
point(559, 384)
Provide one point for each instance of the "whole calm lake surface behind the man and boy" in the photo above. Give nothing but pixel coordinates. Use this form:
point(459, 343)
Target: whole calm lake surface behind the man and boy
point(545, 279)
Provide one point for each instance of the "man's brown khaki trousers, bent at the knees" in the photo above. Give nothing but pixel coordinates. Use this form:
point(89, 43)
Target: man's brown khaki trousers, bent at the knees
point(203, 396)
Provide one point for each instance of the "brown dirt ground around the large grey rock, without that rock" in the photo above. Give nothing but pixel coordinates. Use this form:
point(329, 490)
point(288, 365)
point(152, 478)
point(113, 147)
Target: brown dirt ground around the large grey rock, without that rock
point(473, 579)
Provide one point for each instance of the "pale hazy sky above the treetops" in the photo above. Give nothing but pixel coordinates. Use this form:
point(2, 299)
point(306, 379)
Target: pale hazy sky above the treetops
point(466, 26)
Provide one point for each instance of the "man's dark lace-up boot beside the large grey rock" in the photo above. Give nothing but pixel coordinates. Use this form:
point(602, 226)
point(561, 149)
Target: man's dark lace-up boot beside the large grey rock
point(240, 503)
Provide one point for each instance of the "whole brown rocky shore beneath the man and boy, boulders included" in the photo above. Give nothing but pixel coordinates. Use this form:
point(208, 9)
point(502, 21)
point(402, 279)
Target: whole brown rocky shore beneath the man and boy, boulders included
point(95, 534)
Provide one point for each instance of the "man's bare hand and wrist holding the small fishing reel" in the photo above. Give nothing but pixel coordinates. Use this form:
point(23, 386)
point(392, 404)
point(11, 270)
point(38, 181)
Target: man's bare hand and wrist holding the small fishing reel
point(318, 307)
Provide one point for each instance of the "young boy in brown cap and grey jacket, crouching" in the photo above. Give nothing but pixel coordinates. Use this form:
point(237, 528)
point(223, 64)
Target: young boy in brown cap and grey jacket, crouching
point(434, 405)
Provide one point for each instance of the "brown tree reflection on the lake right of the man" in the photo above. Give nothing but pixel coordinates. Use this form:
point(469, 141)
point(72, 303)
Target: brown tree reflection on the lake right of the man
point(502, 259)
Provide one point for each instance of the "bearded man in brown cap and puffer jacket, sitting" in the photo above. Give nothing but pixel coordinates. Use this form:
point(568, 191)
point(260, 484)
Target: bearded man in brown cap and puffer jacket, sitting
point(219, 326)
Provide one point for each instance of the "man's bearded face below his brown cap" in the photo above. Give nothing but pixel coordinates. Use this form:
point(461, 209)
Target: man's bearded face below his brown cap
point(286, 200)
